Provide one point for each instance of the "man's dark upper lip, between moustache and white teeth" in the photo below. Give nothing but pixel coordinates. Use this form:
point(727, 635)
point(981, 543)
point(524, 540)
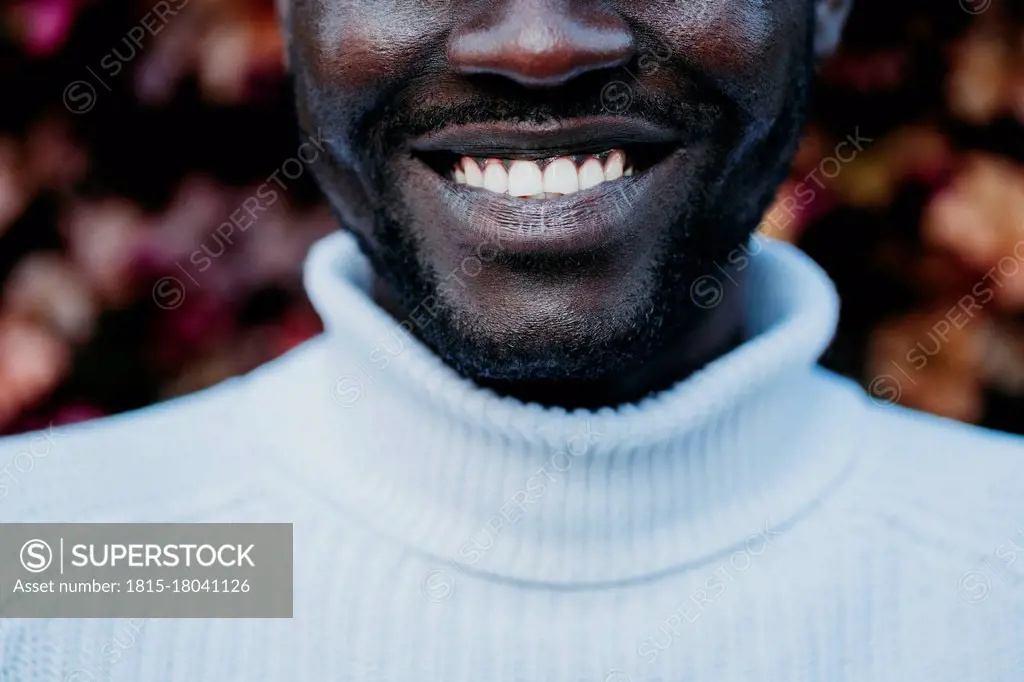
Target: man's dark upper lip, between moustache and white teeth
point(511, 141)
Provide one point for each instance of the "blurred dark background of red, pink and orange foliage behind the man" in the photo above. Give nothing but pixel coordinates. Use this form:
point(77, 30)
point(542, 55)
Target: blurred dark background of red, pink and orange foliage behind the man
point(132, 132)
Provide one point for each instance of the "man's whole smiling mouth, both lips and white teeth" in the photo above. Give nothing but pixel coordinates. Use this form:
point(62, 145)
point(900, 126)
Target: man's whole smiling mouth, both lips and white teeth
point(581, 186)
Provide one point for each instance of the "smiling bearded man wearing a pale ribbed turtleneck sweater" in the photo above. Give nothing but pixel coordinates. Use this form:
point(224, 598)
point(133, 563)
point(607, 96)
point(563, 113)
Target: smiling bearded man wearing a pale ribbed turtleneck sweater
point(566, 422)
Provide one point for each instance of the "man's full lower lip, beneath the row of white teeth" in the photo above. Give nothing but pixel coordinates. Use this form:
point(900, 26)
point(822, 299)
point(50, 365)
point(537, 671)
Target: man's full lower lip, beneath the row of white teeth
point(596, 219)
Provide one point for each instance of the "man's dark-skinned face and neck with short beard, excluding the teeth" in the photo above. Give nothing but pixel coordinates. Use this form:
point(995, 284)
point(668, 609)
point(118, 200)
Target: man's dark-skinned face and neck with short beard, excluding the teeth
point(598, 299)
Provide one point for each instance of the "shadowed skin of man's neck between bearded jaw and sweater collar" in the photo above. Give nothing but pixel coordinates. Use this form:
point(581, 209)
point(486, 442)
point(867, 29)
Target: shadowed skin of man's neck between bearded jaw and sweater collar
point(714, 333)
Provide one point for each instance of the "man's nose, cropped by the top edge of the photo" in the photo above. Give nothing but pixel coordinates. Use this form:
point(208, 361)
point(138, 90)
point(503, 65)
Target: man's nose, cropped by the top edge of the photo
point(540, 44)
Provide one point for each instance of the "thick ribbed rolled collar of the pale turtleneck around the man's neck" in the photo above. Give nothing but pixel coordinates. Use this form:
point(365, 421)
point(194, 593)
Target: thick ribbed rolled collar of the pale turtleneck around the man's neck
point(491, 485)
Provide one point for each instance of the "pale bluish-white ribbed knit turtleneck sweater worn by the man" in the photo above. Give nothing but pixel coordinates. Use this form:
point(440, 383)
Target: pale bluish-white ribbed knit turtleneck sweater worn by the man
point(761, 521)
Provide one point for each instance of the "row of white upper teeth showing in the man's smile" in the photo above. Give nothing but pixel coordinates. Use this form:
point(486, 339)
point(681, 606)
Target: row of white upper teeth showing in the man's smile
point(527, 180)
